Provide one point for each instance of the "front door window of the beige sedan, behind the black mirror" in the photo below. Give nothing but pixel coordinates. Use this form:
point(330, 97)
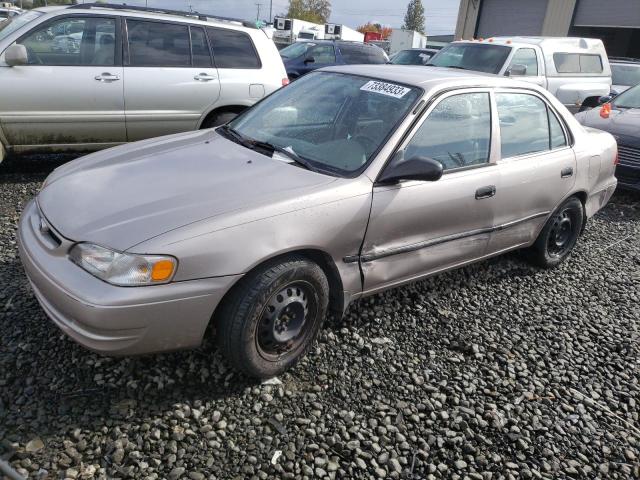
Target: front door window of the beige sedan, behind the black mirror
point(457, 132)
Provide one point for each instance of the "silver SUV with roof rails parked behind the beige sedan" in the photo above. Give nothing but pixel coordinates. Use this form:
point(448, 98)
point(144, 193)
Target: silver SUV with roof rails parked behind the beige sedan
point(92, 76)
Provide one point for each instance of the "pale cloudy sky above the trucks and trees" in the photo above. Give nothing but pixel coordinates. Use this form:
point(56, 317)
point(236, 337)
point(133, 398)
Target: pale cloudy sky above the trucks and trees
point(440, 14)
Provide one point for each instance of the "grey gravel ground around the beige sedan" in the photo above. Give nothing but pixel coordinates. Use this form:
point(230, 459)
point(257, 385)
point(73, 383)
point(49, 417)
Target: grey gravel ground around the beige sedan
point(495, 371)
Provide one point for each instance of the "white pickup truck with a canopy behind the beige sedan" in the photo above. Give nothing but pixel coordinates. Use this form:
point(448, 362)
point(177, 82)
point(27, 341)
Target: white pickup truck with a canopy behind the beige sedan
point(575, 70)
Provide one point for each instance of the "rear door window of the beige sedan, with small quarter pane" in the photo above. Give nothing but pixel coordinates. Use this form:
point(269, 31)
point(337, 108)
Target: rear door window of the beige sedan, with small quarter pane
point(527, 125)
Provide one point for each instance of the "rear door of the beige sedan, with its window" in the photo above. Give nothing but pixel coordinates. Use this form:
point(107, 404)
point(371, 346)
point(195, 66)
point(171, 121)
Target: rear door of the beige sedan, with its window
point(537, 167)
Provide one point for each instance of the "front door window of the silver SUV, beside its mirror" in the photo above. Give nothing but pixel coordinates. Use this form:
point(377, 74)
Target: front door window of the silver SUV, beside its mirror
point(73, 41)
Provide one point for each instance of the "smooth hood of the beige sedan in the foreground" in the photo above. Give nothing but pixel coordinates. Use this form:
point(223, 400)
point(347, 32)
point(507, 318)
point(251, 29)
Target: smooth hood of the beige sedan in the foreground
point(126, 195)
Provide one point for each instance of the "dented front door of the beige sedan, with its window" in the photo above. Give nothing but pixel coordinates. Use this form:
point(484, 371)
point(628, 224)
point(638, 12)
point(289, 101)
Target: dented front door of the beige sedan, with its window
point(417, 228)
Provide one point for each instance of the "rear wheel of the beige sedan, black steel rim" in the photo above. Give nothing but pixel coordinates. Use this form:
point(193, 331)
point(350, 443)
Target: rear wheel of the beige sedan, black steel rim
point(559, 235)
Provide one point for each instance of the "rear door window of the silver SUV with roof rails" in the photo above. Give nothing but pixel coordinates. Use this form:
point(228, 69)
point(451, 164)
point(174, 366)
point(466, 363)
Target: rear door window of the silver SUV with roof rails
point(156, 44)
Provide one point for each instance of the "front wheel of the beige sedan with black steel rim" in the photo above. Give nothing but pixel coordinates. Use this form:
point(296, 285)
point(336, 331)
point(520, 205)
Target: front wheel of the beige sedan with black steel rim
point(271, 318)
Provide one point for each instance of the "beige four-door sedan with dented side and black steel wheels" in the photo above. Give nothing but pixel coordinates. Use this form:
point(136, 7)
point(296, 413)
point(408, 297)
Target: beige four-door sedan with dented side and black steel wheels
point(263, 224)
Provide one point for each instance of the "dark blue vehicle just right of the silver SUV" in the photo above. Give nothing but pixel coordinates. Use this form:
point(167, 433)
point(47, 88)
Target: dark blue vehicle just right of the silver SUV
point(303, 57)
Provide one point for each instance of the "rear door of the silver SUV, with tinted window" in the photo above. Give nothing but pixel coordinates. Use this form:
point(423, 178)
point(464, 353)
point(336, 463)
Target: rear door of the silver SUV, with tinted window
point(170, 80)
